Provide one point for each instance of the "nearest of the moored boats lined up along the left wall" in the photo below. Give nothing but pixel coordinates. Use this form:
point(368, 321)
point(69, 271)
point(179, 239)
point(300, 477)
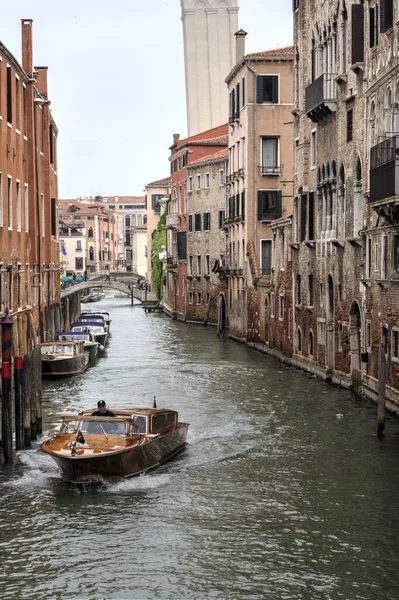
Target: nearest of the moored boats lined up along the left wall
point(63, 359)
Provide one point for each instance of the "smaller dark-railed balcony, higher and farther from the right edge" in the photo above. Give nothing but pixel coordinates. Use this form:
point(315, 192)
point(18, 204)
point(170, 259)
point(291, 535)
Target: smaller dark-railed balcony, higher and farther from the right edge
point(321, 97)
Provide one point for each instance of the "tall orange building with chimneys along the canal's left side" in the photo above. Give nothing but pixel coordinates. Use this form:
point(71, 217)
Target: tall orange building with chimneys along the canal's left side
point(29, 247)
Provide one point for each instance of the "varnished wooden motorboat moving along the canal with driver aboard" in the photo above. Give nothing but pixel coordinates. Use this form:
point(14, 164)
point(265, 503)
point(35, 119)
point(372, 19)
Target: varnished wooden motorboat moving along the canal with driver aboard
point(133, 442)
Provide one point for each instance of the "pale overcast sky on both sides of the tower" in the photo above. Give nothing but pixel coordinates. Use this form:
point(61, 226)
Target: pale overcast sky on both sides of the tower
point(116, 81)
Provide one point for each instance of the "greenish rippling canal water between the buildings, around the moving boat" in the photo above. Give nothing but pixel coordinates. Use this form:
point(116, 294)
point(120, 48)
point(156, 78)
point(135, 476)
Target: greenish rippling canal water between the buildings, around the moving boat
point(284, 491)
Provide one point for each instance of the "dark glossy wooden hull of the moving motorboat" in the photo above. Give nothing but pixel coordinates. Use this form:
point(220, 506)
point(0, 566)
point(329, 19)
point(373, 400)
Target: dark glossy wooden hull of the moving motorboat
point(127, 462)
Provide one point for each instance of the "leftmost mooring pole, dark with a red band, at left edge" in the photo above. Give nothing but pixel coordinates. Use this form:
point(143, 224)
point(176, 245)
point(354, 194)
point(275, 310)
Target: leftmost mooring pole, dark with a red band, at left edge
point(6, 346)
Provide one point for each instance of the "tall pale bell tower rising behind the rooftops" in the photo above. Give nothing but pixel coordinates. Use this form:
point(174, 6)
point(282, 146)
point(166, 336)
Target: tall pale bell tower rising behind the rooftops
point(209, 55)
